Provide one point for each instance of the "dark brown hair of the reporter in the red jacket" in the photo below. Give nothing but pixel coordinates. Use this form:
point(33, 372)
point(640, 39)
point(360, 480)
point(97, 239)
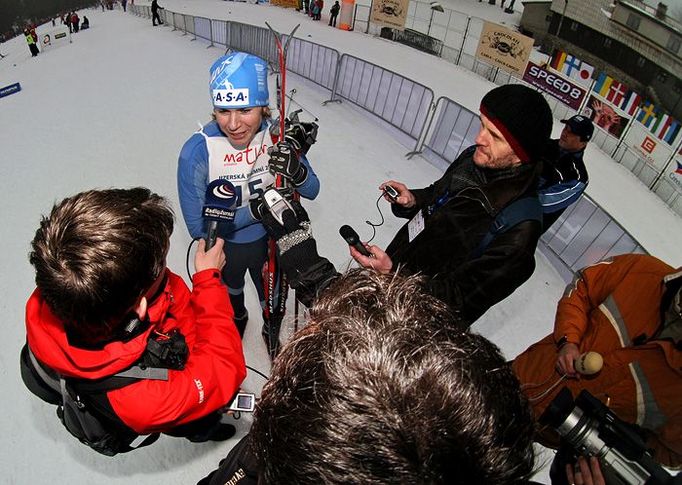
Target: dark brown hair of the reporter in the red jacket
point(96, 254)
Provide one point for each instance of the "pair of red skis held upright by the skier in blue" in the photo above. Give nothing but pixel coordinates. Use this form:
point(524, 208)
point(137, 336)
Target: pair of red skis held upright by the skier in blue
point(276, 286)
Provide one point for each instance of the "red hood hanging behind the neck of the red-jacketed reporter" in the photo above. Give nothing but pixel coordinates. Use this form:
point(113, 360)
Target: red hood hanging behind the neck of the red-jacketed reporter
point(47, 339)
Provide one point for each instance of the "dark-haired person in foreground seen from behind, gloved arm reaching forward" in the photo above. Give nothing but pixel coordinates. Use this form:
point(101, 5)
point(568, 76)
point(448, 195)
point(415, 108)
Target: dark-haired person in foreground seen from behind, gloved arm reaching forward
point(384, 385)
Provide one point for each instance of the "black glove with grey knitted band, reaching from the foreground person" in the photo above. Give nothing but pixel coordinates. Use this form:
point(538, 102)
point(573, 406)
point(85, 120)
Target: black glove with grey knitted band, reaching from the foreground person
point(308, 272)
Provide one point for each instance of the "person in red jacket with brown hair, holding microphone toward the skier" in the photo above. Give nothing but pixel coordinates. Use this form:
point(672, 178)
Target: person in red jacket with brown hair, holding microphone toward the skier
point(105, 303)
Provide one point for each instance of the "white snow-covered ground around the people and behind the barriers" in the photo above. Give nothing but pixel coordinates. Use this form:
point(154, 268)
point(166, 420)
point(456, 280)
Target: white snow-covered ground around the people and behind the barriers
point(113, 108)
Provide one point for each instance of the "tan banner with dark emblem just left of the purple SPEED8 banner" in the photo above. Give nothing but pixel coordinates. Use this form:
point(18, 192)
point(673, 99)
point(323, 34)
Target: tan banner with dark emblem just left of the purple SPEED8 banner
point(504, 48)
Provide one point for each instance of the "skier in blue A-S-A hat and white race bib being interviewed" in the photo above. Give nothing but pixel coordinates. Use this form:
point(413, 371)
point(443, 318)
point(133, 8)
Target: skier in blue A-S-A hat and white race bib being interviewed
point(239, 147)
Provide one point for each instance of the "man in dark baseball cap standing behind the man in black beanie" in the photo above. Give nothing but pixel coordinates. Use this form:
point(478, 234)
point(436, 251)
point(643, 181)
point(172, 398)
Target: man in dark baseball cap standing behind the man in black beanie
point(564, 176)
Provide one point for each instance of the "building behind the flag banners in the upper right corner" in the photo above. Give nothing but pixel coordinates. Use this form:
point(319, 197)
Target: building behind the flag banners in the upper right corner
point(636, 43)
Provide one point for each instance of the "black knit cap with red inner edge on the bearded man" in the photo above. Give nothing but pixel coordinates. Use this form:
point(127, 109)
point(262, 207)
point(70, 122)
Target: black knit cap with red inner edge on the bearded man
point(523, 117)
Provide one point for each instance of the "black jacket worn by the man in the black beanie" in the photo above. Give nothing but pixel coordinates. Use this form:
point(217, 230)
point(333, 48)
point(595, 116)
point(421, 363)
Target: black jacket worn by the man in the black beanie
point(471, 198)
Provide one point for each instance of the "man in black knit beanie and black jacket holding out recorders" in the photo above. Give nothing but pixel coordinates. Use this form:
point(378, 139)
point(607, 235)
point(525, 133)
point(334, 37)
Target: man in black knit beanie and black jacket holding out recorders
point(473, 232)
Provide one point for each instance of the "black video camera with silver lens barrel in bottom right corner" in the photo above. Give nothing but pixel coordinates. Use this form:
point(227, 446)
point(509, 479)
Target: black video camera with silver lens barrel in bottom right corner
point(592, 429)
